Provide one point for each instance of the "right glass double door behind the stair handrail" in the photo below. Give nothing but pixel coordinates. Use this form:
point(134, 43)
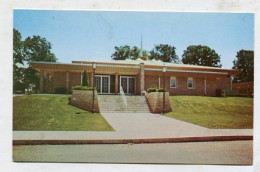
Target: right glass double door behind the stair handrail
point(128, 84)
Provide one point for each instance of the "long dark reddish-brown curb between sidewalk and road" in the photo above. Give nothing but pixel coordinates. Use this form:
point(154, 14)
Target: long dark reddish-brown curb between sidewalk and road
point(134, 141)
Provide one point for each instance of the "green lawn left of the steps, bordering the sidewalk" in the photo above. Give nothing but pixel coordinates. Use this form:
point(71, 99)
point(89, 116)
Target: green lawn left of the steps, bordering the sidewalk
point(52, 112)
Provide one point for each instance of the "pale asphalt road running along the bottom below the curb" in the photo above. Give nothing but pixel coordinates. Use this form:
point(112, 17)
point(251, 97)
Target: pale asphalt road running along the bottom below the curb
point(229, 152)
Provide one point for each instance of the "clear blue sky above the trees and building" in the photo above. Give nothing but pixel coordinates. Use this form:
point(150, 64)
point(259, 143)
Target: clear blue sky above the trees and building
point(92, 35)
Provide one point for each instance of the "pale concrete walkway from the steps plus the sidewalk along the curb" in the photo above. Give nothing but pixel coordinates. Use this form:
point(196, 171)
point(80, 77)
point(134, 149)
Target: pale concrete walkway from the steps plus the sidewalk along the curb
point(134, 126)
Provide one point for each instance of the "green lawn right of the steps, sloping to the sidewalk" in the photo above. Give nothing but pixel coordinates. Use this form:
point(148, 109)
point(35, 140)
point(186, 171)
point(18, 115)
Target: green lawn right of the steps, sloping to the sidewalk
point(213, 112)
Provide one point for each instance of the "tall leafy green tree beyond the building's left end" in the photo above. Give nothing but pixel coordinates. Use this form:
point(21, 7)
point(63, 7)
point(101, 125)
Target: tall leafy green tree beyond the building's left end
point(31, 49)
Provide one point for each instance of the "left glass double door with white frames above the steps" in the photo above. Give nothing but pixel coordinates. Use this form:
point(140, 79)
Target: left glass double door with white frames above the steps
point(102, 83)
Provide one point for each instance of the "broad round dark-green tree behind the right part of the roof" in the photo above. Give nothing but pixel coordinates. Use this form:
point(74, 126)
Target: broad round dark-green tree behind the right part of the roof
point(201, 55)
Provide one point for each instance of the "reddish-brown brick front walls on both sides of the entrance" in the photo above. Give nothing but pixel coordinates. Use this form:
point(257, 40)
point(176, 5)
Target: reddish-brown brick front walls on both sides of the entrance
point(151, 81)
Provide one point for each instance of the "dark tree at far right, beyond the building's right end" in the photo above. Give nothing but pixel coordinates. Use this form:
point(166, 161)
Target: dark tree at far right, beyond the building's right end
point(244, 63)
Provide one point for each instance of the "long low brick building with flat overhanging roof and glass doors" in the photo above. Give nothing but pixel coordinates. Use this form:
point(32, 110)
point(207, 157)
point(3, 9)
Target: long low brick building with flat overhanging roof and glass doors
point(135, 76)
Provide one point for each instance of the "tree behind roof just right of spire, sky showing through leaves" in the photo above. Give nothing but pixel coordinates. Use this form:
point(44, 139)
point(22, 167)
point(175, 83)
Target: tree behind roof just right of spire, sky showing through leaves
point(164, 52)
